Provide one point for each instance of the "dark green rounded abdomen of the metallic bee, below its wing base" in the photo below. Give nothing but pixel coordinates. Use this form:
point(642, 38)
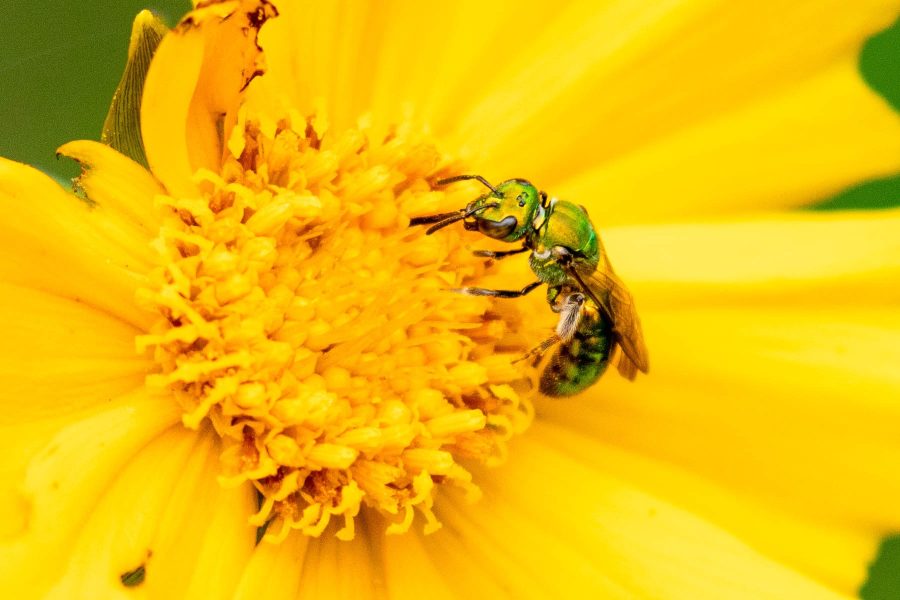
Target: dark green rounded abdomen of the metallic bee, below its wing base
point(576, 365)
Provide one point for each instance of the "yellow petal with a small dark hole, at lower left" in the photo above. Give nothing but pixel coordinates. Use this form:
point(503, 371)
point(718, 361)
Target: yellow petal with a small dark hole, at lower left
point(189, 535)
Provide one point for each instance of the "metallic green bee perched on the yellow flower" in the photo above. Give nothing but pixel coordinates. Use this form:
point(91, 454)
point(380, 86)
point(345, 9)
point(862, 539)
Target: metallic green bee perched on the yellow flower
point(596, 312)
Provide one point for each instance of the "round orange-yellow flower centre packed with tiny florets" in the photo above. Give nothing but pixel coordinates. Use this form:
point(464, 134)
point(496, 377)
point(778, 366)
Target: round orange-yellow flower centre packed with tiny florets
point(319, 335)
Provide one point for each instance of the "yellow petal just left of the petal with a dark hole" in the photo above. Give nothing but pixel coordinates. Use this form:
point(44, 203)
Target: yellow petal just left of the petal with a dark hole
point(63, 481)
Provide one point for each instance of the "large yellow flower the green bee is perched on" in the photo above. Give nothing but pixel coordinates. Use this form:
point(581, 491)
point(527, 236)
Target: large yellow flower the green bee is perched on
point(302, 365)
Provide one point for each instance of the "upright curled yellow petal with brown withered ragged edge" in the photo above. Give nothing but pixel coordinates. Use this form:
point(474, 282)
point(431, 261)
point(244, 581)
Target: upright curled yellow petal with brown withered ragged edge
point(193, 87)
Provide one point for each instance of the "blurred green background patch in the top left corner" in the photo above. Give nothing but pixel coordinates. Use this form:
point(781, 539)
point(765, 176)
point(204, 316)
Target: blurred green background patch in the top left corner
point(60, 63)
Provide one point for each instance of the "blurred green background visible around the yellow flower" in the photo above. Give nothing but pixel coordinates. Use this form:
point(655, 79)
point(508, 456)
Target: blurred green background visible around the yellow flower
point(59, 68)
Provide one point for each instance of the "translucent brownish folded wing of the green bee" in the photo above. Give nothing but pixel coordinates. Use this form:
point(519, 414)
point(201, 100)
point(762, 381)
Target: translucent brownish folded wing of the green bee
point(605, 288)
